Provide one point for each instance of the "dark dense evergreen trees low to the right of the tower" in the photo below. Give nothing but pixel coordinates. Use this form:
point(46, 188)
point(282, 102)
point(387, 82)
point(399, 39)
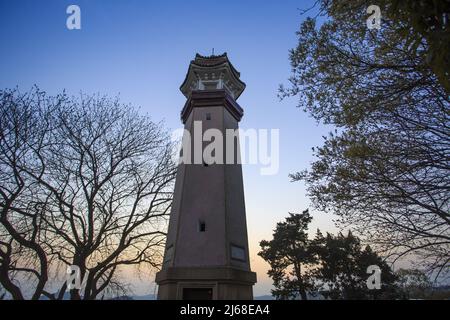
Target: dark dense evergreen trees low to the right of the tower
point(336, 266)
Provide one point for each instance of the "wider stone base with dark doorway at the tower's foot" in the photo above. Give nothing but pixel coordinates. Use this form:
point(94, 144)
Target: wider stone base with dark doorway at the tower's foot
point(205, 283)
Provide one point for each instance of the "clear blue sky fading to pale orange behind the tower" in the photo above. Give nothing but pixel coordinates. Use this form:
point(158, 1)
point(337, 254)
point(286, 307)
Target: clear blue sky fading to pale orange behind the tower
point(142, 49)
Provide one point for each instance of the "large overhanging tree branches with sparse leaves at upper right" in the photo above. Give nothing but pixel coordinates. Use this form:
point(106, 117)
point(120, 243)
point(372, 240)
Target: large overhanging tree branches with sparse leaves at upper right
point(386, 170)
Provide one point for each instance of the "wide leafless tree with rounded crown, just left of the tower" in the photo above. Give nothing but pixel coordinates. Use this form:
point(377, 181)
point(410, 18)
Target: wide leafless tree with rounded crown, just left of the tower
point(103, 183)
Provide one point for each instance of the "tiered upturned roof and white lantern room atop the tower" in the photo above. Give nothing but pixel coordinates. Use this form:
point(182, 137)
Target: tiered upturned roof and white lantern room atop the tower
point(210, 73)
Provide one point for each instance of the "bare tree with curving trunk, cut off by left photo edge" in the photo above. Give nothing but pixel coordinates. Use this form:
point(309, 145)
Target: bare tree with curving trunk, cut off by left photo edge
point(24, 127)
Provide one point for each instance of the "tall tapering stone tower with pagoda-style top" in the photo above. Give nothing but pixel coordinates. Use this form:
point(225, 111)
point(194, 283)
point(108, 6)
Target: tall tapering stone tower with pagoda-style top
point(206, 254)
